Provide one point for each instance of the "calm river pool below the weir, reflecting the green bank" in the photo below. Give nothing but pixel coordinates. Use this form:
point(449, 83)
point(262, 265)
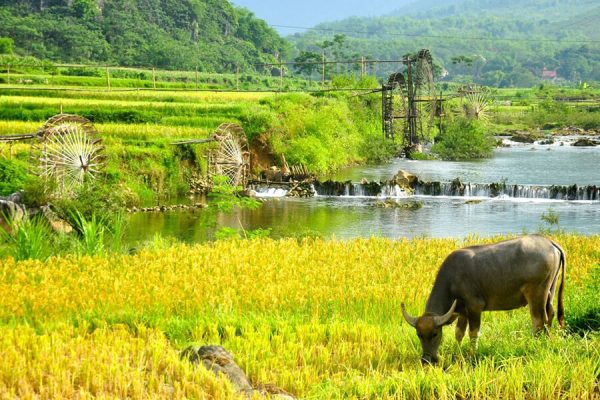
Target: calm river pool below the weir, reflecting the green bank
point(350, 218)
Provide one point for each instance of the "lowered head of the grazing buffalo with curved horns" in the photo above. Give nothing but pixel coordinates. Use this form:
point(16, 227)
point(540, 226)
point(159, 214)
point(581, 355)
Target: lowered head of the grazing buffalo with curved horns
point(429, 330)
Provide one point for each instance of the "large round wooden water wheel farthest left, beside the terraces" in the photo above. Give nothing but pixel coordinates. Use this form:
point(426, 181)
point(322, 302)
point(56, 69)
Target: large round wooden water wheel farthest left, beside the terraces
point(68, 151)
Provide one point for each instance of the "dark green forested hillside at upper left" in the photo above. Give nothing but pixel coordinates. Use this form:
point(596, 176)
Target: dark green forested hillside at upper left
point(211, 35)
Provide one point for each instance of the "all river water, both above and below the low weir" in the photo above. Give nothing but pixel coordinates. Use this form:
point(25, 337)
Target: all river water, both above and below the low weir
point(439, 216)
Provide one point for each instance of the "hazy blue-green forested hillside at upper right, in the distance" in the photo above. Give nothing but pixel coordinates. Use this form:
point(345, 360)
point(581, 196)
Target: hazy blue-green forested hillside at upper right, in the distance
point(503, 44)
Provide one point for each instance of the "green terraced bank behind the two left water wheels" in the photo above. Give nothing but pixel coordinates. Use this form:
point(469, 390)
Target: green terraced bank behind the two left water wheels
point(138, 127)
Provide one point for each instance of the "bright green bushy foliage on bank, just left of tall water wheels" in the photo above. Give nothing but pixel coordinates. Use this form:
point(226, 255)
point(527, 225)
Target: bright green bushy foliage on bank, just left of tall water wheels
point(327, 133)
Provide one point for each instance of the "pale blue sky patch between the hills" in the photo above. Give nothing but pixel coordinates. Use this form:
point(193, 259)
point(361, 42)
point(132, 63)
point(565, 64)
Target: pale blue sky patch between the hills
point(311, 12)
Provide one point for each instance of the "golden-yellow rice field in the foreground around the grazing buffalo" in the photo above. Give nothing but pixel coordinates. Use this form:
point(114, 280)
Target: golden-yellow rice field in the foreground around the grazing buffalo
point(319, 318)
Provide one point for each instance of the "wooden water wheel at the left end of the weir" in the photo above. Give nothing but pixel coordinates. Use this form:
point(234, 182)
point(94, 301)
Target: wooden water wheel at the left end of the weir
point(231, 157)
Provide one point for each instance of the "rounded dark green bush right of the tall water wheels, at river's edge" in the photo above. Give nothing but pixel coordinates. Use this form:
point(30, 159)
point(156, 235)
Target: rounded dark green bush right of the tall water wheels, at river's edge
point(464, 139)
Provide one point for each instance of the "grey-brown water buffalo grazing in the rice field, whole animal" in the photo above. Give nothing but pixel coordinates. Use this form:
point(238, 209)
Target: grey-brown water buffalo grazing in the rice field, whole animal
point(500, 276)
